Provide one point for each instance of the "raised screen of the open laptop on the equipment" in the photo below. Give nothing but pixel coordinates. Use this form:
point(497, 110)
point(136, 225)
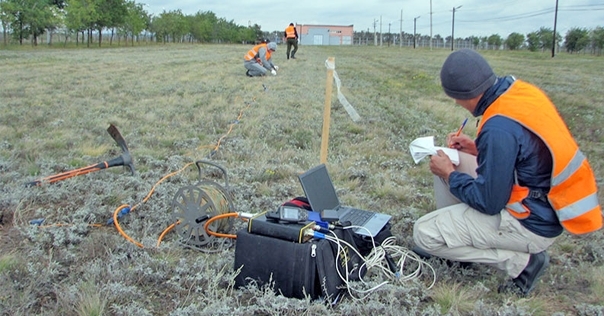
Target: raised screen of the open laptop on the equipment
point(319, 189)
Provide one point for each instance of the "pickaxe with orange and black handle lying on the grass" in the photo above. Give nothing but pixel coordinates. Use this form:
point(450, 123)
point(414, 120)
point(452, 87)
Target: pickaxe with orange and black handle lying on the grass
point(124, 160)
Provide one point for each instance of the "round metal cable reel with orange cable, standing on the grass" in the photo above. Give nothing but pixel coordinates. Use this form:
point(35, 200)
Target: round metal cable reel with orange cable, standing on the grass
point(194, 204)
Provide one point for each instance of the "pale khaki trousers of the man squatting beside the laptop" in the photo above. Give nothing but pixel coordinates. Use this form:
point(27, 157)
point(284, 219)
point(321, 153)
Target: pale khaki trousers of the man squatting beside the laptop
point(455, 231)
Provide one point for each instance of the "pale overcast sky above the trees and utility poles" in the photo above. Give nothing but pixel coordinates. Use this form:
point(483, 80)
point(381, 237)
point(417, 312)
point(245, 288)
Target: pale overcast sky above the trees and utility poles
point(474, 17)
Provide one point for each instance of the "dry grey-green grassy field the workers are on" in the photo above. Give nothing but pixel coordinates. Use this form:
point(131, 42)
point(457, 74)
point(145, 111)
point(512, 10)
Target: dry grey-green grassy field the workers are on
point(178, 104)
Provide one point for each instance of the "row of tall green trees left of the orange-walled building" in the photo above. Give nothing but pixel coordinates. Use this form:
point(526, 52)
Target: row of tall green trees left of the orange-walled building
point(29, 19)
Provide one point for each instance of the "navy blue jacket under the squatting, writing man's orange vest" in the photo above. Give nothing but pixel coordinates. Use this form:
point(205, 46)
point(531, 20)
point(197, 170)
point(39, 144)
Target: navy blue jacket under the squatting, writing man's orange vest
point(504, 146)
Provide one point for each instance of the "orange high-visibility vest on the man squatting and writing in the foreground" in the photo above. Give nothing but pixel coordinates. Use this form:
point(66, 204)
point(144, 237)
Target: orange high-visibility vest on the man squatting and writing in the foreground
point(573, 193)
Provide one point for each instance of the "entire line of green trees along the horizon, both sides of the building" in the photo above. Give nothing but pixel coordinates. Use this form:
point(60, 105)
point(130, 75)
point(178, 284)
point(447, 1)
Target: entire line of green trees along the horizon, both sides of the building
point(83, 20)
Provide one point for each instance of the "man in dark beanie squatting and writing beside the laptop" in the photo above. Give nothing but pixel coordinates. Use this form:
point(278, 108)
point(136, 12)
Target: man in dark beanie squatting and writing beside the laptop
point(525, 180)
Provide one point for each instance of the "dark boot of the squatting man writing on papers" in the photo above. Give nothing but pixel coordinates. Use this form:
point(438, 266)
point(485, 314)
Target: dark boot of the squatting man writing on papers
point(525, 283)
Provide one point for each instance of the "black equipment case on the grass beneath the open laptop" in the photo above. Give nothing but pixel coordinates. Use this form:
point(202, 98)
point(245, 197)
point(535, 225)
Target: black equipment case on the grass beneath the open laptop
point(296, 269)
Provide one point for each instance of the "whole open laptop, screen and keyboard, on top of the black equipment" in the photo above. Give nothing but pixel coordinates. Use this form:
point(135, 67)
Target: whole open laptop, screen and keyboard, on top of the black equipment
point(321, 195)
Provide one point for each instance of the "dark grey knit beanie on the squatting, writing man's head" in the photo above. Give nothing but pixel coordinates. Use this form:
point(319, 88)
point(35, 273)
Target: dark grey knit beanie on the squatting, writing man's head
point(465, 75)
